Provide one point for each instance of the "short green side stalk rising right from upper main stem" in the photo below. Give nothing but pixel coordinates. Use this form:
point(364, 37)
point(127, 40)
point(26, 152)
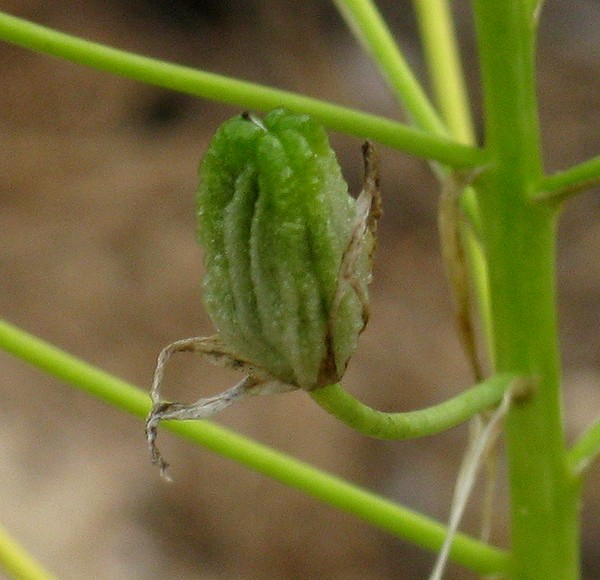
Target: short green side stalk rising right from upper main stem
point(564, 184)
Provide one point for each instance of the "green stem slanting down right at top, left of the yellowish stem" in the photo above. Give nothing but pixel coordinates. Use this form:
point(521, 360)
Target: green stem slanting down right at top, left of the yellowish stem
point(372, 32)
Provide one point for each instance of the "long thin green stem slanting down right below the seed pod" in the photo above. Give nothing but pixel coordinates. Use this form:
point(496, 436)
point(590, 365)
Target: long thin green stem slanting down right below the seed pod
point(327, 488)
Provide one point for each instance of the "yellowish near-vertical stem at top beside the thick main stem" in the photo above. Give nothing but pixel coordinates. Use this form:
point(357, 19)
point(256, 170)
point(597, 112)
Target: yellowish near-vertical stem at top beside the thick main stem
point(445, 70)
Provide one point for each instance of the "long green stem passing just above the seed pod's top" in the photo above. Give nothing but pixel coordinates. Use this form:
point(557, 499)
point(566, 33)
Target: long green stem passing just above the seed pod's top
point(235, 92)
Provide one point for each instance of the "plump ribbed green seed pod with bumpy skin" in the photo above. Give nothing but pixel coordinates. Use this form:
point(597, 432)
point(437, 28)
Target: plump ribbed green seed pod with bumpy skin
point(275, 220)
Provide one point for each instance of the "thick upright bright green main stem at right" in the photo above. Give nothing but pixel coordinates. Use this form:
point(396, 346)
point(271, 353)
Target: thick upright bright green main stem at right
point(519, 239)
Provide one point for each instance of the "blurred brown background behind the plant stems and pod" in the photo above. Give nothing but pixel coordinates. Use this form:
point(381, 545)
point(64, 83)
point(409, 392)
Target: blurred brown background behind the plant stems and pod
point(98, 256)
